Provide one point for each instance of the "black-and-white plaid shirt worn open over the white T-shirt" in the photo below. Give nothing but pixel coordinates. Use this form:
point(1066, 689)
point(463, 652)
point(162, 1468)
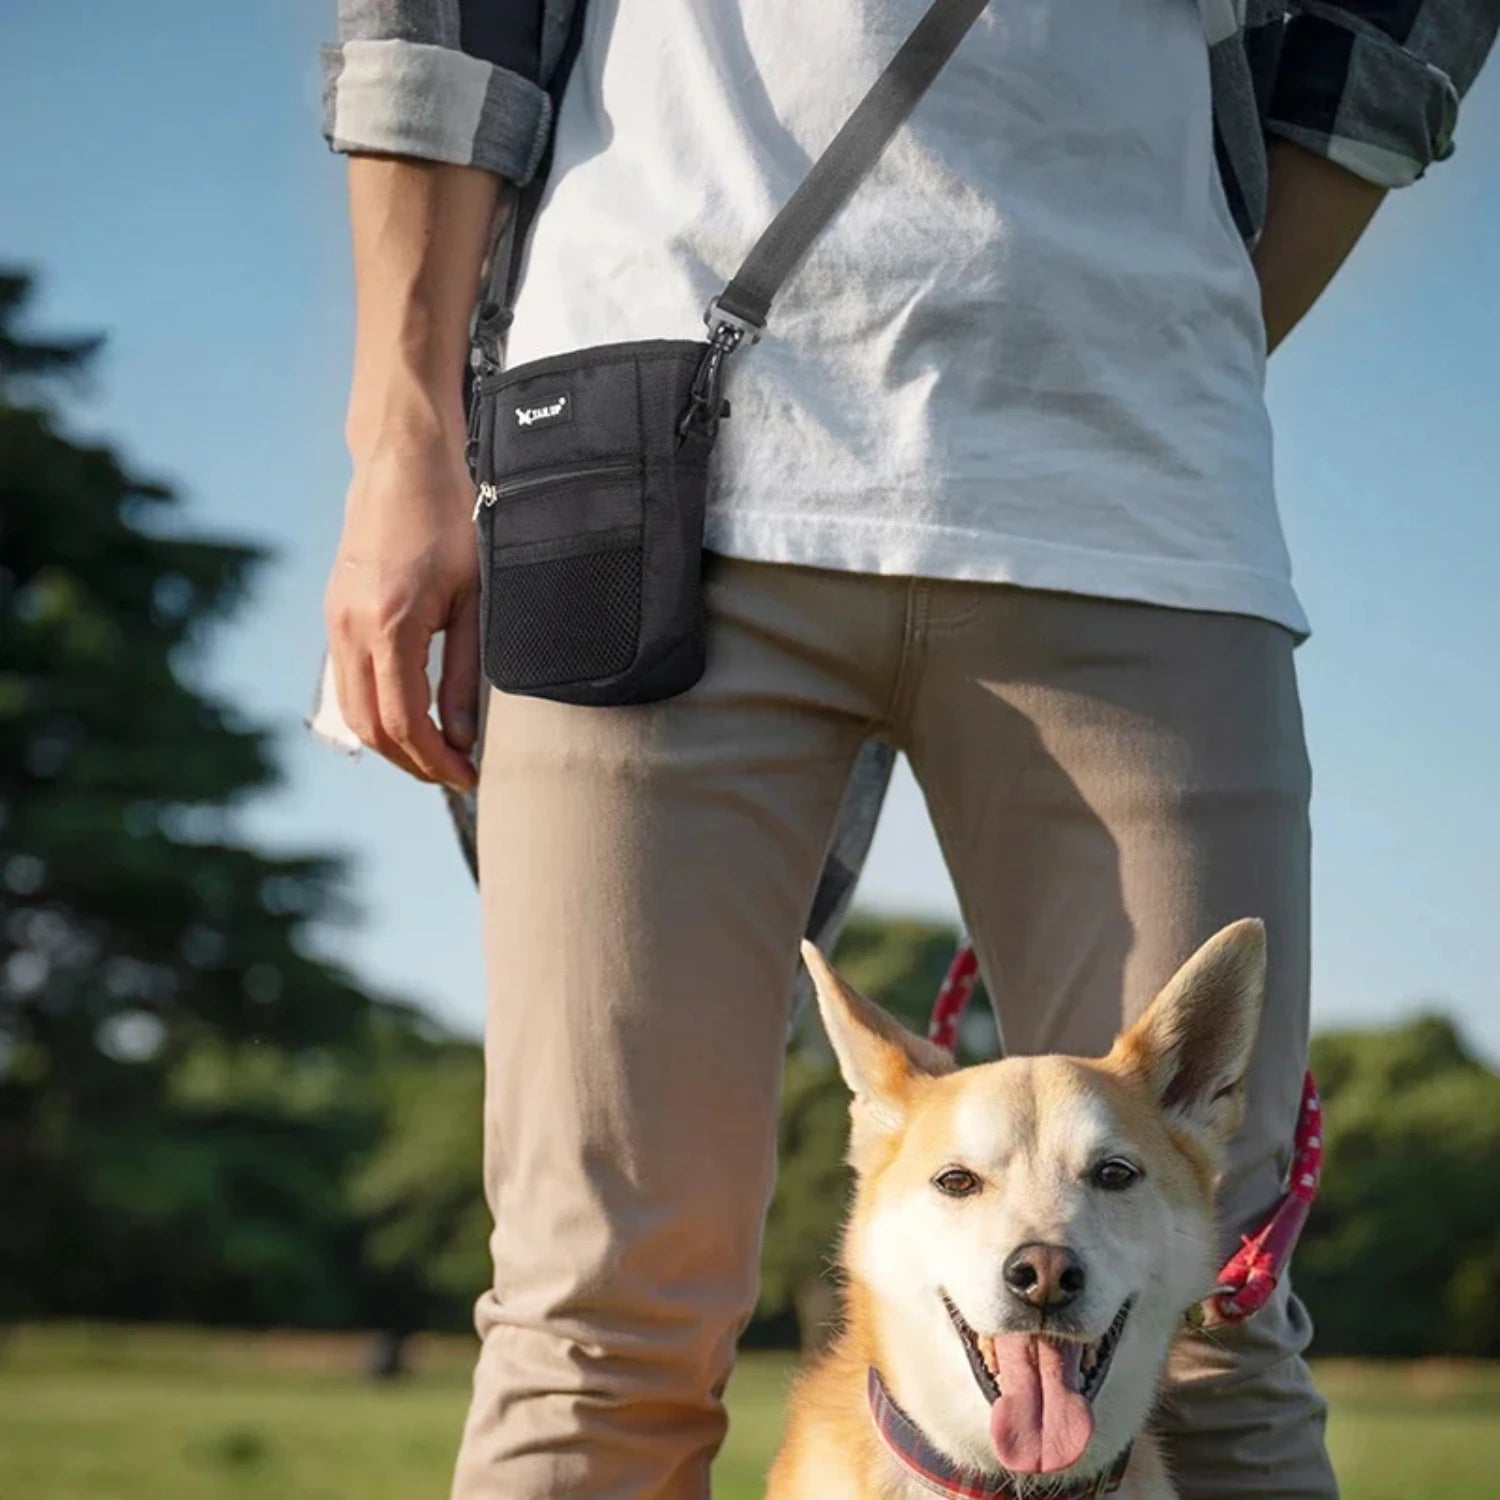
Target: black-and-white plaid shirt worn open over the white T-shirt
point(1372, 85)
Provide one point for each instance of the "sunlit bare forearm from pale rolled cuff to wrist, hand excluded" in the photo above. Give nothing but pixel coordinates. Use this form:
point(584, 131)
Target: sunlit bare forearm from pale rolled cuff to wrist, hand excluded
point(421, 235)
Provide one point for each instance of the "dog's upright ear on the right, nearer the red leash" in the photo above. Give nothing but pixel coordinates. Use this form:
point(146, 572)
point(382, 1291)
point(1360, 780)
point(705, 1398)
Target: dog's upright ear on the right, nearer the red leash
point(1195, 1042)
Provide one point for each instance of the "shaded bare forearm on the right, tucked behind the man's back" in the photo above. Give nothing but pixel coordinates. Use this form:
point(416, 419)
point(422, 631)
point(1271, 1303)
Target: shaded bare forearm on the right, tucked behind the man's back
point(1315, 217)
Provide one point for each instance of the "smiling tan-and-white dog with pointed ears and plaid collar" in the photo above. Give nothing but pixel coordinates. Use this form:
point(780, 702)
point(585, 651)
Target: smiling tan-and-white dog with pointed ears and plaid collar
point(1025, 1243)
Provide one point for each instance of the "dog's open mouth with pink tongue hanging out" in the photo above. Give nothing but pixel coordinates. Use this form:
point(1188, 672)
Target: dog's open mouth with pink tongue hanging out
point(1040, 1390)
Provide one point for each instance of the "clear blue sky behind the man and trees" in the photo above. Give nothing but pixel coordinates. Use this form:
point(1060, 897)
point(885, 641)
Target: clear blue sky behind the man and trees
point(166, 175)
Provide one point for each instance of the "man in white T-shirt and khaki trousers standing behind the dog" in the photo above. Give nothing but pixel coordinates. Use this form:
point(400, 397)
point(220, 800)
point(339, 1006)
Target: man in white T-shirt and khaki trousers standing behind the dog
point(997, 491)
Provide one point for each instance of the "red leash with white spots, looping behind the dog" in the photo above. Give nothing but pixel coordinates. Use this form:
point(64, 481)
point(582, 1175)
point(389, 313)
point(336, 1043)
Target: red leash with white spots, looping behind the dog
point(1252, 1274)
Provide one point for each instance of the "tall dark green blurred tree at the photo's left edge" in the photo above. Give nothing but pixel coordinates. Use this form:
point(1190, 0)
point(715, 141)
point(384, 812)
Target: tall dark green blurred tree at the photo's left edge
point(139, 935)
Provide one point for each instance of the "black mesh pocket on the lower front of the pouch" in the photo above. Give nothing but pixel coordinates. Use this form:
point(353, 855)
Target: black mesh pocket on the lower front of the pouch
point(563, 620)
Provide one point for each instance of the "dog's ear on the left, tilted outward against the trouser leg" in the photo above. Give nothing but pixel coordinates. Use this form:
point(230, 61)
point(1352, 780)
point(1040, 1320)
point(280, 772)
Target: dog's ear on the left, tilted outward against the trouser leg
point(880, 1058)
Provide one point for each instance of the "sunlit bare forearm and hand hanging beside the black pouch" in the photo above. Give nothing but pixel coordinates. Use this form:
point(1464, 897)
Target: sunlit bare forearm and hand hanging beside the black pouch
point(407, 565)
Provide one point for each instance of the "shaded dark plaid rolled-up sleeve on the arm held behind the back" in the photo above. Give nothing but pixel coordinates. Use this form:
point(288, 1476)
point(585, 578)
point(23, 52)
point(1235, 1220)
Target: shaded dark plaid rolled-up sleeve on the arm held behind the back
point(1376, 85)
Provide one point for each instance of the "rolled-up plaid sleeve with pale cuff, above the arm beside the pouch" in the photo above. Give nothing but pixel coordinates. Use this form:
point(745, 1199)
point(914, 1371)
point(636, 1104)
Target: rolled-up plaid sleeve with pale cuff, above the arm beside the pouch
point(439, 80)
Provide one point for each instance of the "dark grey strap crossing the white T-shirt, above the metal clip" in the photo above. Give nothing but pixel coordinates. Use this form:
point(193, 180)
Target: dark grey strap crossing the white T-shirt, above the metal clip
point(853, 152)
